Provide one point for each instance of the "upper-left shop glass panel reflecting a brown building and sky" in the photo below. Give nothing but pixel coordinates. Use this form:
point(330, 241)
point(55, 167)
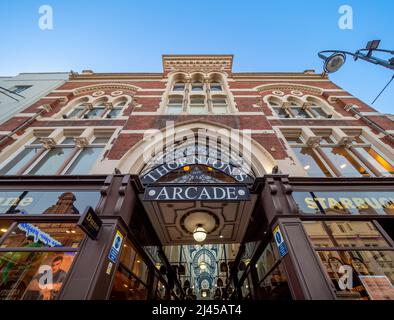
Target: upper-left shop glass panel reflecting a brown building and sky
point(47, 202)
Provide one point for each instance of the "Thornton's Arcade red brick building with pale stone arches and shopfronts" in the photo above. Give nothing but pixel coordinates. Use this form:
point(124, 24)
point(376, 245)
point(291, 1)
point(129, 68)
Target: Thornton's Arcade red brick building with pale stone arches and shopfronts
point(305, 135)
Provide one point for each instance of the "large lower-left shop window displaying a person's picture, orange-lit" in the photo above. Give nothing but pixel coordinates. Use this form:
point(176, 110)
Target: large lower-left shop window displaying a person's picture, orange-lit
point(33, 275)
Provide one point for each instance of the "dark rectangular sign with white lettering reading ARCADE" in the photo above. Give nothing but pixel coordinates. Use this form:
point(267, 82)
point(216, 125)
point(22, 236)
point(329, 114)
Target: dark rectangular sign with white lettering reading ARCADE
point(228, 192)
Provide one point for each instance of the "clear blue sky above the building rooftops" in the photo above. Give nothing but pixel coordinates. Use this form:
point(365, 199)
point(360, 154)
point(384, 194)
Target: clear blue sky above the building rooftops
point(131, 36)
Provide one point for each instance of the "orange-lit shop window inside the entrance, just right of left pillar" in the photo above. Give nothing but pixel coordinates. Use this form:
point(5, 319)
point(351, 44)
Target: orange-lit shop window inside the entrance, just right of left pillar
point(131, 277)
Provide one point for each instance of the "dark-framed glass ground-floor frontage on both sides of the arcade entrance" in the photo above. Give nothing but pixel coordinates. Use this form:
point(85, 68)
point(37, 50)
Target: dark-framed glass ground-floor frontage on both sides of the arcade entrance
point(348, 230)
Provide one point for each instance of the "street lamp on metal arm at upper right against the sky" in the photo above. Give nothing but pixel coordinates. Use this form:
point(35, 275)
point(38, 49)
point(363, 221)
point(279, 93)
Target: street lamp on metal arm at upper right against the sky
point(337, 58)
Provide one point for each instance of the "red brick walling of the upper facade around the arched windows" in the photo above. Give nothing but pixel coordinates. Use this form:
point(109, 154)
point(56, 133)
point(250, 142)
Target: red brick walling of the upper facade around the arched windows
point(244, 100)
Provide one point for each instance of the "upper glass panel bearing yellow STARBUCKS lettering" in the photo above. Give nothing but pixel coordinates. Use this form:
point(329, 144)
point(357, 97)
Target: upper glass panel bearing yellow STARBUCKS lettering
point(345, 202)
